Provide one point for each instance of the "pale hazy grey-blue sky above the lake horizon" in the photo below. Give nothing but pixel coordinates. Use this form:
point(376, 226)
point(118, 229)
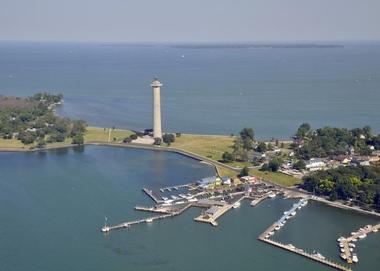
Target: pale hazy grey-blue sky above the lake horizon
point(190, 20)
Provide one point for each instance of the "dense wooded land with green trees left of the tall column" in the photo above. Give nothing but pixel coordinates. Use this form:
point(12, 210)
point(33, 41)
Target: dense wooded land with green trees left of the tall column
point(32, 120)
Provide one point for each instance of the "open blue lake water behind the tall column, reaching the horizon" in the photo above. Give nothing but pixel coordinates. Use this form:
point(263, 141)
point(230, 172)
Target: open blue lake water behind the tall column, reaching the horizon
point(212, 91)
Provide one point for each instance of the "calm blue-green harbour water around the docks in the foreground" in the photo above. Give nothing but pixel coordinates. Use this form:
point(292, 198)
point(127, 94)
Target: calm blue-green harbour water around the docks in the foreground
point(53, 203)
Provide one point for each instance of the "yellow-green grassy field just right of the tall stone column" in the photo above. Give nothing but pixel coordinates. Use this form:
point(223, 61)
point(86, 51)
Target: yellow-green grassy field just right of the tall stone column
point(209, 146)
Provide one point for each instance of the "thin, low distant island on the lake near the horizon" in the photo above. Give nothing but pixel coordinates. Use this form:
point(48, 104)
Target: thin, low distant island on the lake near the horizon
point(256, 46)
